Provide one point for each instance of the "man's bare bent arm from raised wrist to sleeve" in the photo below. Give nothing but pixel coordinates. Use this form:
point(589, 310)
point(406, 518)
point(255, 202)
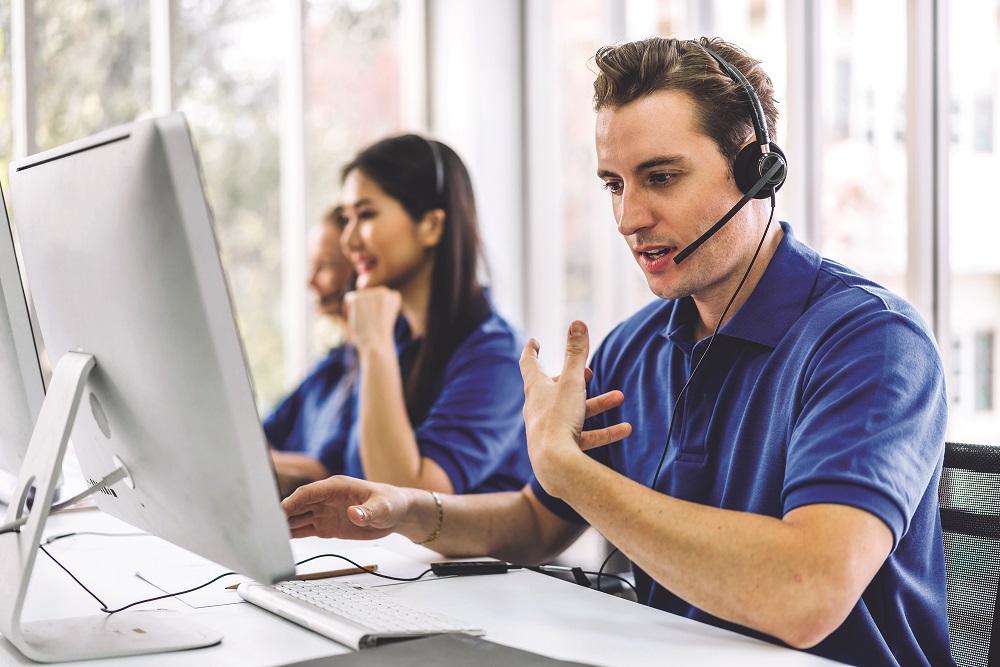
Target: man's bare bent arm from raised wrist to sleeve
point(794, 578)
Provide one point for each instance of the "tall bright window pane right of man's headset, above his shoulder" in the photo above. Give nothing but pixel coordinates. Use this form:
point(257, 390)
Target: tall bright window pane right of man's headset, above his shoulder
point(863, 164)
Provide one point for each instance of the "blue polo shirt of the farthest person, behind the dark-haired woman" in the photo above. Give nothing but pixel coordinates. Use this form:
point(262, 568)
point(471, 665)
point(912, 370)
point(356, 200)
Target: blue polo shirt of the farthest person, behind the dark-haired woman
point(315, 418)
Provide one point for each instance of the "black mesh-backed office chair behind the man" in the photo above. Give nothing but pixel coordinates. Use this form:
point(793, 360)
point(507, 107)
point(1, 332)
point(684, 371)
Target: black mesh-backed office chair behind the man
point(970, 517)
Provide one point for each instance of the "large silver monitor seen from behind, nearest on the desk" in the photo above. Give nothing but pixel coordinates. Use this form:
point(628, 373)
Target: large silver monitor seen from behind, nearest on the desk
point(123, 265)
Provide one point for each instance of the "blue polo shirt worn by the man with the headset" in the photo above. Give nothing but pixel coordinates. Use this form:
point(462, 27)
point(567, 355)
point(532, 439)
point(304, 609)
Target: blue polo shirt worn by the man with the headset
point(822, 388)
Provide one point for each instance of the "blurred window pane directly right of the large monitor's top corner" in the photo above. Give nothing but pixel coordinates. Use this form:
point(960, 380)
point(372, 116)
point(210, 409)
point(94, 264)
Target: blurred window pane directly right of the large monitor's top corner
point(227, 83)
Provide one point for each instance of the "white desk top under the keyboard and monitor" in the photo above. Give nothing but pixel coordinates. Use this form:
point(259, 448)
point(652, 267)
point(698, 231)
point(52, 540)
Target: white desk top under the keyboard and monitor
point(523, 609)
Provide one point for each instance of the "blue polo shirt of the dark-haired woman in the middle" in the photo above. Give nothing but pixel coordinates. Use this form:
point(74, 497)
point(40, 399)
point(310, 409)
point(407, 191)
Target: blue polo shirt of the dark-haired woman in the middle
point(474, 429)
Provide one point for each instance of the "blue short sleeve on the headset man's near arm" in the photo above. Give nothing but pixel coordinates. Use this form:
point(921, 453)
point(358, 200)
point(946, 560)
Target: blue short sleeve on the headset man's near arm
point(871, 428)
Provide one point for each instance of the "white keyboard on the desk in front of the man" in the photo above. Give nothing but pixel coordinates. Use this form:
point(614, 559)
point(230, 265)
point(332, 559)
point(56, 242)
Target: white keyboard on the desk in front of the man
point(351, 614)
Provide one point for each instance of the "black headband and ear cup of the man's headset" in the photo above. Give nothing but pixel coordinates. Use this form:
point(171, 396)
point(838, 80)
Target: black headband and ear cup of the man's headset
point(756, 159)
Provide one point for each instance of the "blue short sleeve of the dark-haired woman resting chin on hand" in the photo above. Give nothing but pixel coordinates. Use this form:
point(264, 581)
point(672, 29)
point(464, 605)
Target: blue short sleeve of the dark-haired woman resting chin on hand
point(475, 422)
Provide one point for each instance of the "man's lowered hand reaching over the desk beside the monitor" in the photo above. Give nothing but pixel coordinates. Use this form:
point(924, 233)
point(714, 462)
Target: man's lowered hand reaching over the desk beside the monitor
point(355, 509)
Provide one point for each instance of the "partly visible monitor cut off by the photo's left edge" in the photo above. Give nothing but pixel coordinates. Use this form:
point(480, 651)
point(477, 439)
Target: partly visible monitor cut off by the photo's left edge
point(21, 384)
